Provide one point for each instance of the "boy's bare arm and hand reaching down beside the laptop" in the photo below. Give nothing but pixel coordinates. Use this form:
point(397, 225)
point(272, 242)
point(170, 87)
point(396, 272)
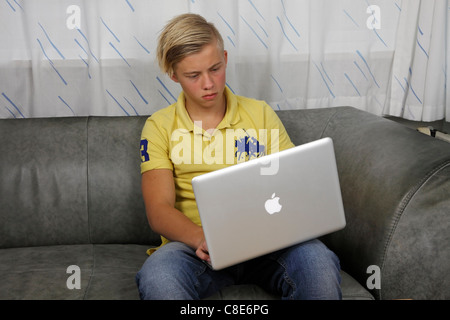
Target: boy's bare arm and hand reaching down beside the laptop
point(158, 190)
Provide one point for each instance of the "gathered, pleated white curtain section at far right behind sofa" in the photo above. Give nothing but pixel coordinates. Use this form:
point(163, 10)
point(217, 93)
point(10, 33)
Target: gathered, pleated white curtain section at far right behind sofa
point(420, 66)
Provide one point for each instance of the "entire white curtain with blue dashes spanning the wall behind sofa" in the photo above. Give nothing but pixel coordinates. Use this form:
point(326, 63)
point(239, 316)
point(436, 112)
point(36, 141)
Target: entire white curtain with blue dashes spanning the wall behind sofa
point(97, 57)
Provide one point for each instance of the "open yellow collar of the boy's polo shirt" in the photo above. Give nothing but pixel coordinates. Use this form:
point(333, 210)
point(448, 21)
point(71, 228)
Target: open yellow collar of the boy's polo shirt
point(231, 115)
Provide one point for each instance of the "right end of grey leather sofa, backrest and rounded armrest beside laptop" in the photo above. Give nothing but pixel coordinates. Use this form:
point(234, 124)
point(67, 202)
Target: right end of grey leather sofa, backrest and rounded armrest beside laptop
point(396, 190)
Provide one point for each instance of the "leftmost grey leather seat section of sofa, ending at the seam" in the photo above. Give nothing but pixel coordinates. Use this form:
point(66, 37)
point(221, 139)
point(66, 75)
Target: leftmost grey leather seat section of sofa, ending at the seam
point(40, 272)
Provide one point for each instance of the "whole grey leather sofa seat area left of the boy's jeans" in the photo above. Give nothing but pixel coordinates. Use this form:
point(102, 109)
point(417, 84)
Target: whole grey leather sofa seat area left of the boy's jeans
point(106, 272)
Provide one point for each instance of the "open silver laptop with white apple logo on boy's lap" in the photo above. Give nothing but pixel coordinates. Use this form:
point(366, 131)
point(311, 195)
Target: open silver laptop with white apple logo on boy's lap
point(266, 204)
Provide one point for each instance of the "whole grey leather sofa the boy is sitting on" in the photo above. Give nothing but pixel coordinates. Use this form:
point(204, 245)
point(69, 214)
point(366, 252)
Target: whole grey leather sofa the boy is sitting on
point(70, 196)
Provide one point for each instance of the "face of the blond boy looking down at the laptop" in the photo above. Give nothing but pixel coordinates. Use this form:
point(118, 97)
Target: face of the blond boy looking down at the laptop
point(202, 76)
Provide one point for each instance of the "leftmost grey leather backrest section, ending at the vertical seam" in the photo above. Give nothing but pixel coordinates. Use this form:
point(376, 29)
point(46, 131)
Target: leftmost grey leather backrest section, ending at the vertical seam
point(43, 198)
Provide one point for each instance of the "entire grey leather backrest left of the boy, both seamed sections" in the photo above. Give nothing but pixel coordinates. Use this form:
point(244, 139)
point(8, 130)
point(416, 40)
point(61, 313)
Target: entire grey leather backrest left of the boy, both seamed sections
point(71, 180)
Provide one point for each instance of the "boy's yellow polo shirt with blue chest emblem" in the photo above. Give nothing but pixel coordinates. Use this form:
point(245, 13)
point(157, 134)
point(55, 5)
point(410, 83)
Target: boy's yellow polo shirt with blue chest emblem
point(171, 140)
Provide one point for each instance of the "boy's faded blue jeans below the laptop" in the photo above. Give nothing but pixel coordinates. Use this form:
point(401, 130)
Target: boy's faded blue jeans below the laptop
point(305, 271)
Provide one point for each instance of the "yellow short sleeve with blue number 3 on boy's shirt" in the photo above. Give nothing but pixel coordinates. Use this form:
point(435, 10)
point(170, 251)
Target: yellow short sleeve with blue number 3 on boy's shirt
point(154, 147)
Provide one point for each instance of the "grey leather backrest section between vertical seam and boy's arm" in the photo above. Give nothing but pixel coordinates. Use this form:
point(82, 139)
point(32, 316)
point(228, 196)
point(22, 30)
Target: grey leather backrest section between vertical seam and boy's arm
point(116, 207)
